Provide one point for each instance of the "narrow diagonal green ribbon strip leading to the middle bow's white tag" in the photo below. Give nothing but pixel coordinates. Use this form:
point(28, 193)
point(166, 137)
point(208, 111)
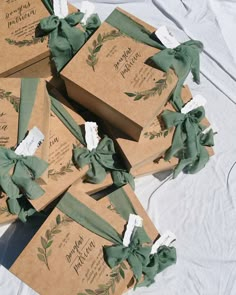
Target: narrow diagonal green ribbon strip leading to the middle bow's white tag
point(66, 119)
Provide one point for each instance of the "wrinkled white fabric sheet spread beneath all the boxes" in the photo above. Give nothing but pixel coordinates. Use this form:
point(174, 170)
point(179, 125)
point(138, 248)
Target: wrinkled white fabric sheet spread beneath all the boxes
point(199, 209)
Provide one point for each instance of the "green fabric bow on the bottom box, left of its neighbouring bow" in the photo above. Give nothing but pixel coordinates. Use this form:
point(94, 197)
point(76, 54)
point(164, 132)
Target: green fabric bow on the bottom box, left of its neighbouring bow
point(136, 254)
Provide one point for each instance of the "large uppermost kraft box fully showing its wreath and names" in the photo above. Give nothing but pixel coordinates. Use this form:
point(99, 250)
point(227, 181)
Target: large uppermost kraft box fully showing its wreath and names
point(109, 76)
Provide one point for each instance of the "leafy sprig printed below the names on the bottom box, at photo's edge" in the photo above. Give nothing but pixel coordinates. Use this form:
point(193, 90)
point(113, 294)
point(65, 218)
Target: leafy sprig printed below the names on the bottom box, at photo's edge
point(109, 288)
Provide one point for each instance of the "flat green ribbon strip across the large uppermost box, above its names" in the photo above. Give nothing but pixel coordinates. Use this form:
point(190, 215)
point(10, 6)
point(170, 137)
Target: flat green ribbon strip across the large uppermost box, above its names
point(132, 29)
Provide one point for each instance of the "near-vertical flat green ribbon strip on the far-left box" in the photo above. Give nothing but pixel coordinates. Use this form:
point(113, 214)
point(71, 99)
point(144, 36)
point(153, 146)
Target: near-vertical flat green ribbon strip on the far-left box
point(28, 96)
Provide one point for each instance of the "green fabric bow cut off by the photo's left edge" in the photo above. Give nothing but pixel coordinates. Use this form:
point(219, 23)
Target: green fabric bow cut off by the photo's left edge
point(26, 169)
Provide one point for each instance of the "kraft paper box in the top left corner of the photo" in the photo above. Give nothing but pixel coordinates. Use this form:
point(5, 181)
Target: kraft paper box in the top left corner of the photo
point(23, 54)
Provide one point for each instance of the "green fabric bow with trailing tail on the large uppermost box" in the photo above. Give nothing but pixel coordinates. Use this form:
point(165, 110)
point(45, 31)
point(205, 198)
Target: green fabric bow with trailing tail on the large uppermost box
point(182, 59)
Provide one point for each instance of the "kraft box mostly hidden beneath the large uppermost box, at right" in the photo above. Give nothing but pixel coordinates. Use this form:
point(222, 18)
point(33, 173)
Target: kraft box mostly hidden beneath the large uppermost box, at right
point(152, 144)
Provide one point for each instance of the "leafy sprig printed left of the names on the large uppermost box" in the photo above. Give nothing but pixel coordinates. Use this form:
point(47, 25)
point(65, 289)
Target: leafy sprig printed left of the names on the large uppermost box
point(97, 45)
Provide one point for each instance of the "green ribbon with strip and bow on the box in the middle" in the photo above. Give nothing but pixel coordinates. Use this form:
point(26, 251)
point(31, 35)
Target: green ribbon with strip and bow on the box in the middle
point(100, 160)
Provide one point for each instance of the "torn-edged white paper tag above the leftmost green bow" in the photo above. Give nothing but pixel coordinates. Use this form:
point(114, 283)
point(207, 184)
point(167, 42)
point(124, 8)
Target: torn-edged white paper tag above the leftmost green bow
point(29, 145)
